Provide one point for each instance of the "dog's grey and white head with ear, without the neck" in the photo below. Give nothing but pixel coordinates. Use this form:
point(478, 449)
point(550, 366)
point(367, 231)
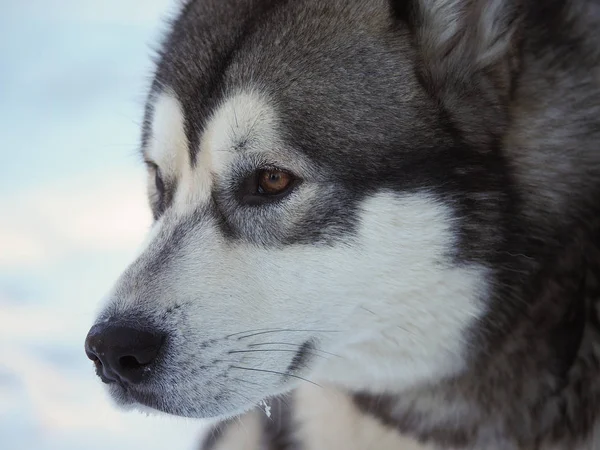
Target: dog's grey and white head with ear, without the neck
point(326, 193)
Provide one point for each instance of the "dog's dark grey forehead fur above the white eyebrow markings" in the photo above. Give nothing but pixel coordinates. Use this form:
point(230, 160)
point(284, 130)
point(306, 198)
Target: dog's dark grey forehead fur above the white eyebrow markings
point(337, 73)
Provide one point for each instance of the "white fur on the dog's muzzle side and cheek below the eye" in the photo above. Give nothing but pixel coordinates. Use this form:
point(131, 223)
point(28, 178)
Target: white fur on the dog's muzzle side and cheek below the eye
point(388, 302)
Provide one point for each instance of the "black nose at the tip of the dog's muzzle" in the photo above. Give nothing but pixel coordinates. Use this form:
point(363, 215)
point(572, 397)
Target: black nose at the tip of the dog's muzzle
point(122, 353)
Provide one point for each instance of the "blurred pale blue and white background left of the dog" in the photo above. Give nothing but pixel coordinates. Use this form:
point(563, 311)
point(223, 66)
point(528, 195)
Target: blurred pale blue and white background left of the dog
point(73, 75)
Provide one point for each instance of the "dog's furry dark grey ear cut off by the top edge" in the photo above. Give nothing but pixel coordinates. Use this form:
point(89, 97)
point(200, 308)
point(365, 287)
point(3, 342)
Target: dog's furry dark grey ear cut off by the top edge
point(468, 57)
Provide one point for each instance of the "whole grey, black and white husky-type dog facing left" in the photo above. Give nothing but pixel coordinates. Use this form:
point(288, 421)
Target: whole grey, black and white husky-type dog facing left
point(378, 220)
